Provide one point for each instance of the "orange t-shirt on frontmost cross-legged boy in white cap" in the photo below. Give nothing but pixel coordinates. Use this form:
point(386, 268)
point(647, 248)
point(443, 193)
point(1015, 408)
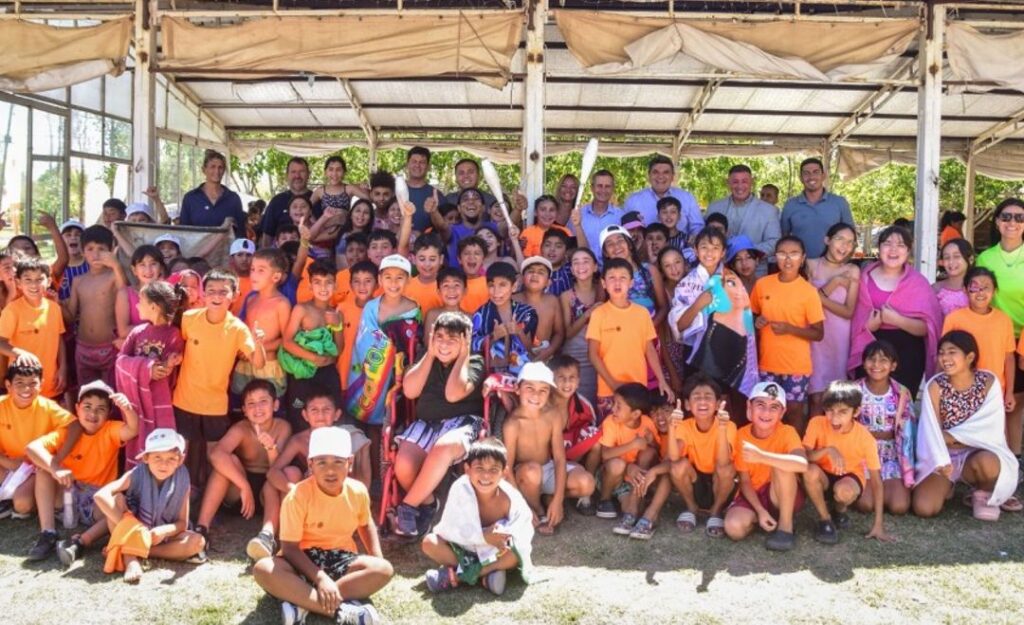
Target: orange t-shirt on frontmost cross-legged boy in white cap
point(314, 519)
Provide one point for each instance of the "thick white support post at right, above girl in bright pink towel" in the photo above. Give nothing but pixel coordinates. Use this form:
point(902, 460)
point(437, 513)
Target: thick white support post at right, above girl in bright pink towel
point(926, 223)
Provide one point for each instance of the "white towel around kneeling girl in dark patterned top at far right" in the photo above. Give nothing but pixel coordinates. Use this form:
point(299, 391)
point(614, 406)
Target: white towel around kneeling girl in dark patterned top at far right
point(986, 430)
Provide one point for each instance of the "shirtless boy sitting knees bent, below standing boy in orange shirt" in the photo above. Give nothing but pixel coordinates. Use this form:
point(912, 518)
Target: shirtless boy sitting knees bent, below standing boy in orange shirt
point(241, 461)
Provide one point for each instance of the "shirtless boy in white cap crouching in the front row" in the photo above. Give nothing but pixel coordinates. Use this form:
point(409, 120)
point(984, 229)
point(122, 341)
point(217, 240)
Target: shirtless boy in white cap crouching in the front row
point(537, 453)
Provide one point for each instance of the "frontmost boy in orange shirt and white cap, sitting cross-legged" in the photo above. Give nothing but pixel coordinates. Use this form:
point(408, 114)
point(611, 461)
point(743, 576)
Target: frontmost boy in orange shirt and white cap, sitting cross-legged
point(320, 569)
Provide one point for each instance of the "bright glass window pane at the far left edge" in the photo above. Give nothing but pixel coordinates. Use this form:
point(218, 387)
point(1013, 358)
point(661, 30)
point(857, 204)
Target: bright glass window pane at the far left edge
point(15, 129)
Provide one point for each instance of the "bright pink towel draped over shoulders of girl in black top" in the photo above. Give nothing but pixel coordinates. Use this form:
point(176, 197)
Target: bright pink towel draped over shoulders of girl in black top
point(913, 298)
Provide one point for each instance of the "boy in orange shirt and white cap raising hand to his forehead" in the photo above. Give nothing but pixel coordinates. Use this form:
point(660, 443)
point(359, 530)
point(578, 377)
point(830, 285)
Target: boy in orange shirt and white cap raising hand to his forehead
point(91, 465)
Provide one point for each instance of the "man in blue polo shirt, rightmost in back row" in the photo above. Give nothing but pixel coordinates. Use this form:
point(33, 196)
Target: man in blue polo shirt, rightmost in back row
point(810, 215)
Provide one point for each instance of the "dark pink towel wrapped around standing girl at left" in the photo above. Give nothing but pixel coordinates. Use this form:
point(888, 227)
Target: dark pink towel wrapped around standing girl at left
point(152, 400)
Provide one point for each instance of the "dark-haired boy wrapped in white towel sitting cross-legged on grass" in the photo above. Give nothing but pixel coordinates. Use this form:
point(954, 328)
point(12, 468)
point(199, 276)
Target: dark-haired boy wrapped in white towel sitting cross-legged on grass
point(487, 527)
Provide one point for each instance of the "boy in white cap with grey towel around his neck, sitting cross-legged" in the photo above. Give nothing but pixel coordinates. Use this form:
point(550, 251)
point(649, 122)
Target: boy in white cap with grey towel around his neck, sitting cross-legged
point(147, 510)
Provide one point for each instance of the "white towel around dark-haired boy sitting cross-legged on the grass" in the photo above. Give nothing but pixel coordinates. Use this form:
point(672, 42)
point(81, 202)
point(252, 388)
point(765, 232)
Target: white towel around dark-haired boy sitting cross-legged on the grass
point(460, 523)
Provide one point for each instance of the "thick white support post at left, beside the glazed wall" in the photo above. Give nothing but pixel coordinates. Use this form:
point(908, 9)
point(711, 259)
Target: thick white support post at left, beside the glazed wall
point(144, 139)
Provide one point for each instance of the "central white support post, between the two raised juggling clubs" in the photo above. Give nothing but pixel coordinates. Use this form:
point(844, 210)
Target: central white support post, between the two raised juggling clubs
point(533, 118)
